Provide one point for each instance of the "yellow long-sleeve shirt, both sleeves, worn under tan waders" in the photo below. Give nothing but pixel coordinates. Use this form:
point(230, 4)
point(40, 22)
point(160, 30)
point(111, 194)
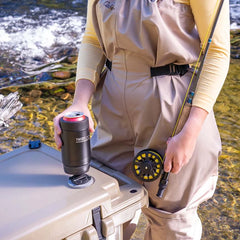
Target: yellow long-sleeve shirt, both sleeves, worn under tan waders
point(91, 58)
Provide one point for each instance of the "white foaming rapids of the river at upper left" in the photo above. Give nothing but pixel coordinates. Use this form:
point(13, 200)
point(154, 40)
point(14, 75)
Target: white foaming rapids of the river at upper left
point(28, 39)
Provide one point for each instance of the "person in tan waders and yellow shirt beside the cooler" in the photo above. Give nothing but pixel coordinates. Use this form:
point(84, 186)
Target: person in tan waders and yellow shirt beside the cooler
point(149, 45)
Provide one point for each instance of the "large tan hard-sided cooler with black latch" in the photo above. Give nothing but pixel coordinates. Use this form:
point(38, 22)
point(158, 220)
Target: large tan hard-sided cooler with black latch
point(36, 202)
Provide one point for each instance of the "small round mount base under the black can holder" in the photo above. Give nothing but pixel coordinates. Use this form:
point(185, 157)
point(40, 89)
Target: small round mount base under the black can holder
point(80, 181)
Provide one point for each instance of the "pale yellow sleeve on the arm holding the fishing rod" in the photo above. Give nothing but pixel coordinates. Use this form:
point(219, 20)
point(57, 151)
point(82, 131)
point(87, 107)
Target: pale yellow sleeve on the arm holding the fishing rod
point(216, 64)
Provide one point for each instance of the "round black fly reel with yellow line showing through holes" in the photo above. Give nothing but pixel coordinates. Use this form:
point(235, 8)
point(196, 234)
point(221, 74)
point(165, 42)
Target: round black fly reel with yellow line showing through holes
point(148, 165)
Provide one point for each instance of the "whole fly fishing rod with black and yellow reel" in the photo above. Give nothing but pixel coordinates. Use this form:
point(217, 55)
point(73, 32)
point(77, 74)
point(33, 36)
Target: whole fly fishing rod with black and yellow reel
point(148, 164)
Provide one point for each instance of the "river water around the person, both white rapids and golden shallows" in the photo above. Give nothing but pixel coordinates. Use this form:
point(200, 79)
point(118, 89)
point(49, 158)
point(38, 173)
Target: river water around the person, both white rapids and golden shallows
point(32, 31)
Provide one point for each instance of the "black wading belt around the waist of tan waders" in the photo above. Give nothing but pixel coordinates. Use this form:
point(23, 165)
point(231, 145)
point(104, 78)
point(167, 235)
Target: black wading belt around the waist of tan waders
point(170, 69)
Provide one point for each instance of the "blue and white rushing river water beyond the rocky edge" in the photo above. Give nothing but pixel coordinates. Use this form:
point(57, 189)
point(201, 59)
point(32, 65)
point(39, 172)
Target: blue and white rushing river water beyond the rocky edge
point(30, 30)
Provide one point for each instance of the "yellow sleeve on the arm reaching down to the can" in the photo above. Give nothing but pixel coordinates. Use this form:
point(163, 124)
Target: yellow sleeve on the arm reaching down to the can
point(90, 58)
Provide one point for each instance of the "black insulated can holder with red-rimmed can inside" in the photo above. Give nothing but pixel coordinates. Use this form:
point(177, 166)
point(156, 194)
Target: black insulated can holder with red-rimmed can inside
point(75, 143)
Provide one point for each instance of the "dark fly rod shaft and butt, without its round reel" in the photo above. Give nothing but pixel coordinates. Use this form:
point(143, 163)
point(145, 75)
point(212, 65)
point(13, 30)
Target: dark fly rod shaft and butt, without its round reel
point(186, 106)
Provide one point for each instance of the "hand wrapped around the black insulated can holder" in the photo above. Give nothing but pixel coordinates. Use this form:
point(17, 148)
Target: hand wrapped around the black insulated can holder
point(74, 107)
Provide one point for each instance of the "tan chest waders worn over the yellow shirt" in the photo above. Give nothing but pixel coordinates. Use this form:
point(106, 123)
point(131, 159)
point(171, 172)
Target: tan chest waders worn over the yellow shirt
point(137, 110)
